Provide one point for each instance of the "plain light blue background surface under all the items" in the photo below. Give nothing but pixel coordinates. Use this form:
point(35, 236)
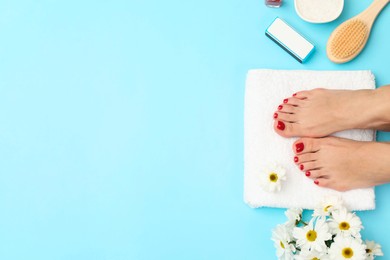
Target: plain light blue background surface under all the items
point(121, 133)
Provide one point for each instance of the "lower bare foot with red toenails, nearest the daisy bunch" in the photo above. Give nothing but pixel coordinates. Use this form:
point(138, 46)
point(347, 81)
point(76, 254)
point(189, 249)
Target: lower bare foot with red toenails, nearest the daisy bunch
point(343, 164)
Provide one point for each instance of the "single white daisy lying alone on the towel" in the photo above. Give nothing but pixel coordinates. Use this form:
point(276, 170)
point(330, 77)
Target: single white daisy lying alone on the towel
point(271, 178)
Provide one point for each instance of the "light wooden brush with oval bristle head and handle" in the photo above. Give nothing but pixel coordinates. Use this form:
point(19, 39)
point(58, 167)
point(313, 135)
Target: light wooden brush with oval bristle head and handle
point(350, 37)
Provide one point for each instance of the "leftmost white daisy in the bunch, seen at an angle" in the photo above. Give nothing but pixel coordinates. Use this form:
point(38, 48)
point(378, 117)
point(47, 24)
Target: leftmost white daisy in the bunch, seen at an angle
point(282, 238)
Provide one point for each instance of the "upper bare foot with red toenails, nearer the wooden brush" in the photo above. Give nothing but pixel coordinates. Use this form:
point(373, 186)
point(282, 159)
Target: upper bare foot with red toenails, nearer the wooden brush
point(320, 112)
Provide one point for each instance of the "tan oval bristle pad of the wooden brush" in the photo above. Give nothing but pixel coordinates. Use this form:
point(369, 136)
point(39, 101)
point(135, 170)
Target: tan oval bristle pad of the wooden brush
point(348, 39)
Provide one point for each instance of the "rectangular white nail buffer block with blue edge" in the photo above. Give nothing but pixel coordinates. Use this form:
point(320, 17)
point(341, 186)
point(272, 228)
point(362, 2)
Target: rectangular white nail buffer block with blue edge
point(290, 40)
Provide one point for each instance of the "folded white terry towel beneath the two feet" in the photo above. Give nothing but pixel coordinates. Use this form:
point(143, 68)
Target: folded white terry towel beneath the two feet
point(265, 90)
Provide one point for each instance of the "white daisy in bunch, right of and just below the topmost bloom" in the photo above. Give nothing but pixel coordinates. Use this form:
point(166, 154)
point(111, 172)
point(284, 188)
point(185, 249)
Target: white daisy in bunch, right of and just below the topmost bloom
point(345, 223)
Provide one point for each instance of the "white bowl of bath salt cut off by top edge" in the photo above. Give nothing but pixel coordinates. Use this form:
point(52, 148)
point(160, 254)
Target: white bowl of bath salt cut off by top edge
point(319, 11)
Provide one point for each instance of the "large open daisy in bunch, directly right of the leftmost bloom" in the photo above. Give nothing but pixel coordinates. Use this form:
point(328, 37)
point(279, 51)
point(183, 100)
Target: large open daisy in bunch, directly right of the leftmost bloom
point(313, 236)
